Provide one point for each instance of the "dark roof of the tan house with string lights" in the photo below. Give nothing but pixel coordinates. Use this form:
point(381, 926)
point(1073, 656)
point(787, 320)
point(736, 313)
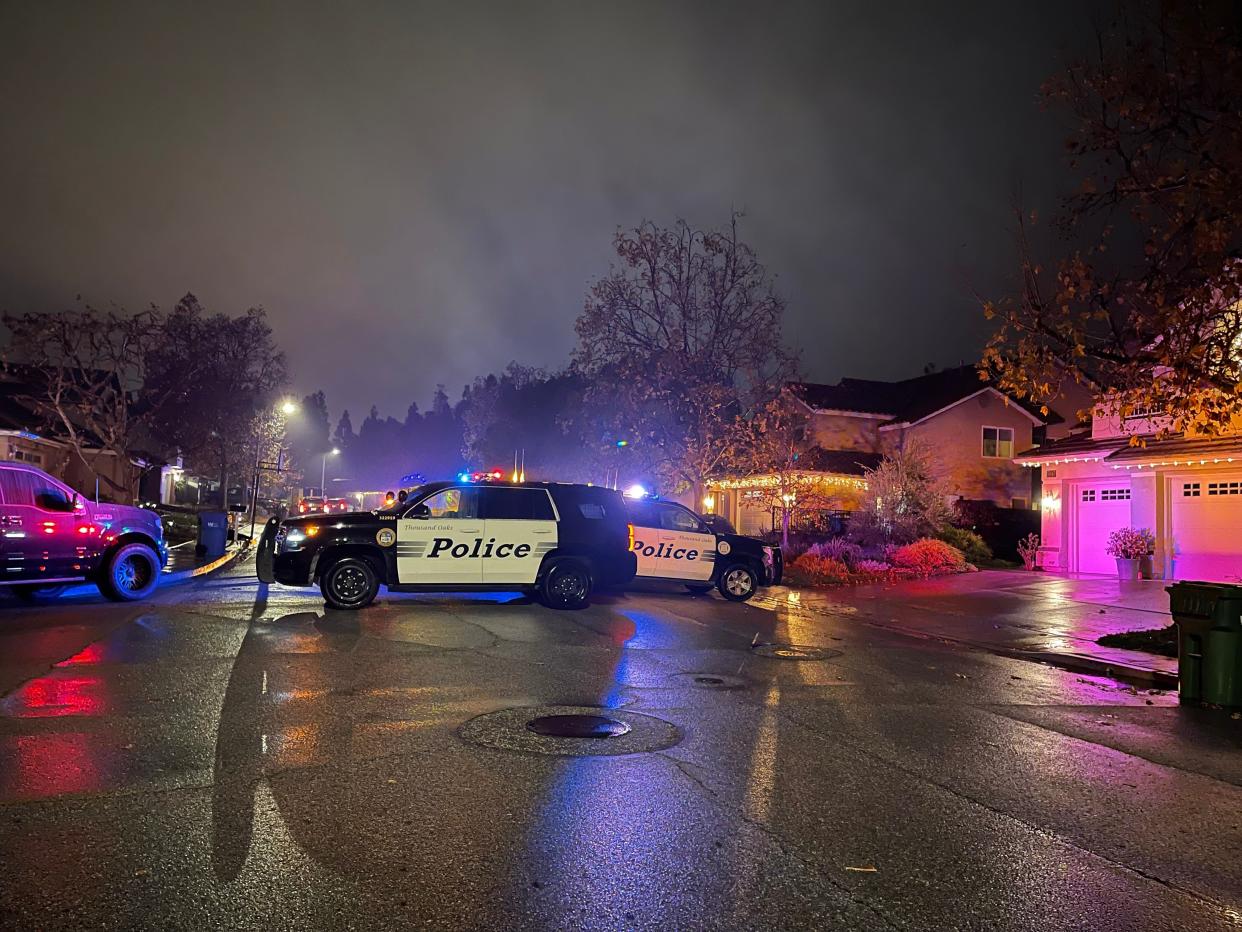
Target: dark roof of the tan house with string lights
point(905, 402)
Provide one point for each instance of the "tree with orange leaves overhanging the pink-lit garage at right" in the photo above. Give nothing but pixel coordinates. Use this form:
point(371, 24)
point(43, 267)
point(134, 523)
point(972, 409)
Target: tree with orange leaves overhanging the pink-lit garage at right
point(1143, 304)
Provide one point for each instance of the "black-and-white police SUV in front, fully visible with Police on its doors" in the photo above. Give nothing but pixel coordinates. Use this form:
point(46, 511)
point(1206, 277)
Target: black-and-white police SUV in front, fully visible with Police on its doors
point(557, 540)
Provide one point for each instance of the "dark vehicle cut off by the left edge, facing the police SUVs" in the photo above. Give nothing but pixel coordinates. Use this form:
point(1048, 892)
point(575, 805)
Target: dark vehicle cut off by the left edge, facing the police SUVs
point(52, 537)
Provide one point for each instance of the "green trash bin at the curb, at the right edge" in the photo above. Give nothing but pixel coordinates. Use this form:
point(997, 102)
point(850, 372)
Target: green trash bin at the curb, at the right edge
point(1209, 618)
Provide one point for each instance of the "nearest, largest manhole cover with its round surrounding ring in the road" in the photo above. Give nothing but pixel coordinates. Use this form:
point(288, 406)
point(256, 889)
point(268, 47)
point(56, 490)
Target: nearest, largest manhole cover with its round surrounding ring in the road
point(576, 731)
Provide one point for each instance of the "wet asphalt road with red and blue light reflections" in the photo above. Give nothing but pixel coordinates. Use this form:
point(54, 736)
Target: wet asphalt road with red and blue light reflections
point(227, 757)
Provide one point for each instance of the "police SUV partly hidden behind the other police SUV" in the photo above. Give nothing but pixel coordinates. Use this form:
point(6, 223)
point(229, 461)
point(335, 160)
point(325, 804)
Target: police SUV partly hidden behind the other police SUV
point(674, 544)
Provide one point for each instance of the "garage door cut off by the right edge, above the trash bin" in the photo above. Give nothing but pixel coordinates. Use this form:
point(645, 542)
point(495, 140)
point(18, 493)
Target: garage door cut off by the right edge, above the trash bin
point(1208, 529)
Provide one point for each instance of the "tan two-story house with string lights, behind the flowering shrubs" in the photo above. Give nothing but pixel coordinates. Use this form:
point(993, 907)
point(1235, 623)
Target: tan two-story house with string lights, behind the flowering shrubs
point(973, 429)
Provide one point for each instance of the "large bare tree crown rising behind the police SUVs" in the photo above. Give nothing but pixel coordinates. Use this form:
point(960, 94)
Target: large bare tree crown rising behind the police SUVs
point(680, 340)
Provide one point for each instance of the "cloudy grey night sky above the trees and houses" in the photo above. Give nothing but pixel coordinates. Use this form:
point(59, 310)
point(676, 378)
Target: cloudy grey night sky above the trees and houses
point(422, 193)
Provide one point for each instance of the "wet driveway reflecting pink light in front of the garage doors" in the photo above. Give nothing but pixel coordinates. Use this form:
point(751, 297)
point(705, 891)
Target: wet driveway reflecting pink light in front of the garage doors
point(1031, 616)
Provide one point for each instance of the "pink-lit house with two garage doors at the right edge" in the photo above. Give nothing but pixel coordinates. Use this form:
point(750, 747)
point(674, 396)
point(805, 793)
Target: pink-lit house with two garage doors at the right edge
point(1188, 491)
